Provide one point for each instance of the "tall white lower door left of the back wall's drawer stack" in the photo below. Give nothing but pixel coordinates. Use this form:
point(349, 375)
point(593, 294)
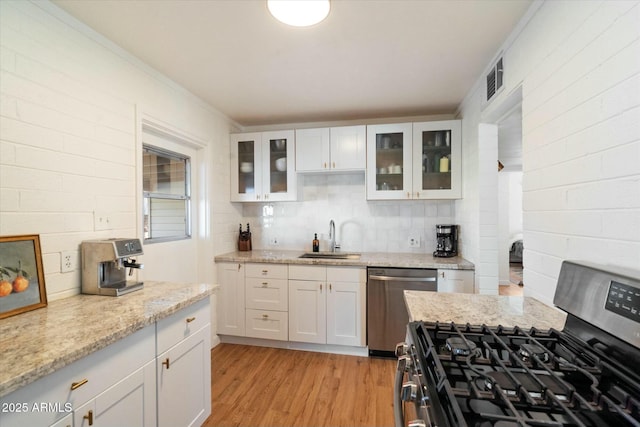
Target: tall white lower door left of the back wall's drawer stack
point(231, 299)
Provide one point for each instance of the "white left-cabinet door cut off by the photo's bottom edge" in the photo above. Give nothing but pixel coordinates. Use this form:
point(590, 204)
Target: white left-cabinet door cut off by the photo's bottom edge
point(130, 402)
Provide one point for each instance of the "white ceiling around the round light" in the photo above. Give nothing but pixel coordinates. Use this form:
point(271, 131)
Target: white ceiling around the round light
point(368, 59)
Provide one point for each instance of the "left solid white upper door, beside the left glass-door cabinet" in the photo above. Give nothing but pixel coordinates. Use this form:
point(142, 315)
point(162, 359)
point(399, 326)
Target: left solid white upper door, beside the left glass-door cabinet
point(312, 150)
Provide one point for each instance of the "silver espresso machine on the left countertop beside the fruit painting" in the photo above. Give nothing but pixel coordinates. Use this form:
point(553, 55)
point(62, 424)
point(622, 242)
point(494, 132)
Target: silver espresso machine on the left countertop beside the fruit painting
point(105, 264)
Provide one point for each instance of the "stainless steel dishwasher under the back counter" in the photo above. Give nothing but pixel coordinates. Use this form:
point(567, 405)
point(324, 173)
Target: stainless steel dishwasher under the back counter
point(387, 316)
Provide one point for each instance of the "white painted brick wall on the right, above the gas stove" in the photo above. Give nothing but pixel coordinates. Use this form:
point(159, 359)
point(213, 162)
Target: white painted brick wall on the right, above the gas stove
point(579, 66)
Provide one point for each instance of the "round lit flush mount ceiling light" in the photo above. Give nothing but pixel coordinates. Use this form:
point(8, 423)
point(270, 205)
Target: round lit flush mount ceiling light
point(299, 13)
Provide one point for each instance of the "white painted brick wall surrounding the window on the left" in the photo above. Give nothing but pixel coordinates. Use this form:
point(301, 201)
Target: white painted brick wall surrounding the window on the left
point(68, 138)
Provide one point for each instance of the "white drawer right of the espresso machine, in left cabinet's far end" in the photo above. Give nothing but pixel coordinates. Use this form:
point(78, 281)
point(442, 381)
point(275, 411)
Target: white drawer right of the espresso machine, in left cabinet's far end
point(180, 325)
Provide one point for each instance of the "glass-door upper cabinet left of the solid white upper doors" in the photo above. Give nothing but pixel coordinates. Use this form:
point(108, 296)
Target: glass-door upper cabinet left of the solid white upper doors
point(262, 167)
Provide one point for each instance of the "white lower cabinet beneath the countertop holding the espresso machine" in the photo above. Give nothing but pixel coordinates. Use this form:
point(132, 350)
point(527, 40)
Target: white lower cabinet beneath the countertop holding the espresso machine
point(127, 383)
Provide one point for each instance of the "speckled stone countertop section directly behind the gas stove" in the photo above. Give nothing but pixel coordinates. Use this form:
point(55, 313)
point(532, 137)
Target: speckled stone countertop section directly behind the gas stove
point(490, 310)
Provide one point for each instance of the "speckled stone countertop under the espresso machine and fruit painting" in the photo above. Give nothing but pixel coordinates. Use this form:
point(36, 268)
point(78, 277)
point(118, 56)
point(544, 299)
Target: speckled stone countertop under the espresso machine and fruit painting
point(50, 338)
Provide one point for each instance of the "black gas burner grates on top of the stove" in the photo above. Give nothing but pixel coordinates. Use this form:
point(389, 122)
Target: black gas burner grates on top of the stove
point(496, 376)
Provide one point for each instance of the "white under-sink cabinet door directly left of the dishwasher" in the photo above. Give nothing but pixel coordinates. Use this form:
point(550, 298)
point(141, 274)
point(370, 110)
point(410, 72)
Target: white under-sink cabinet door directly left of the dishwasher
point(346, 313)
